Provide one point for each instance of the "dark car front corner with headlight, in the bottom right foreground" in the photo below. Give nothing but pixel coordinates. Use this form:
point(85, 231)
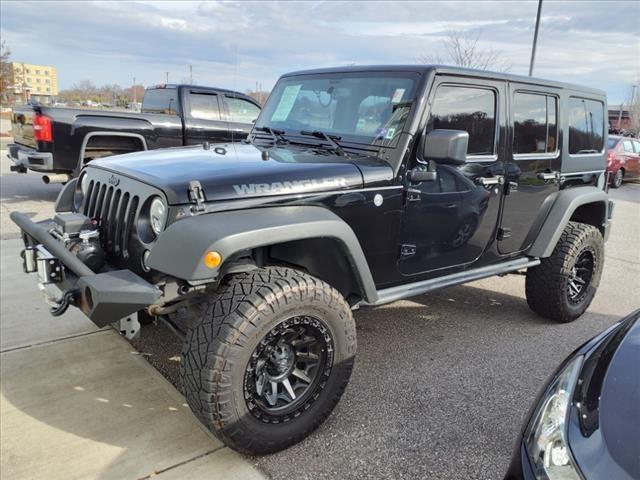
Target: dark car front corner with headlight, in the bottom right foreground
point(586, 423)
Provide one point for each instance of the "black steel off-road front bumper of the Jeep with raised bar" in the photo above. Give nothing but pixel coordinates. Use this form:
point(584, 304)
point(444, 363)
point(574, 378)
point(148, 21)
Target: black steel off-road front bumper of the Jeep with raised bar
point(103, 297)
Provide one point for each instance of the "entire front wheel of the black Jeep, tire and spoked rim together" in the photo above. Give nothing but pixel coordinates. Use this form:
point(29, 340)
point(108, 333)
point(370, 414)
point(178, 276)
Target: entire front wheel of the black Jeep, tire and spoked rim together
point(267, 357)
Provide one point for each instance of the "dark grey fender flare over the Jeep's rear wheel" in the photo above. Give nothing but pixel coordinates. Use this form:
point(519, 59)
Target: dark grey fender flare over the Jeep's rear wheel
point(565, 204)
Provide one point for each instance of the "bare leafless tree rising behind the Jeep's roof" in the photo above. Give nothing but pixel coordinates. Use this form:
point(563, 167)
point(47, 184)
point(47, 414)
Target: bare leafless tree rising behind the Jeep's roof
point(465, 51)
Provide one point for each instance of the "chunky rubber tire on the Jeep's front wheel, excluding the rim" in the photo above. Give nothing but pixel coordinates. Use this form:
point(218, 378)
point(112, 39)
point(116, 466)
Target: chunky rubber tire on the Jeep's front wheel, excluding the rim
point(227, 327)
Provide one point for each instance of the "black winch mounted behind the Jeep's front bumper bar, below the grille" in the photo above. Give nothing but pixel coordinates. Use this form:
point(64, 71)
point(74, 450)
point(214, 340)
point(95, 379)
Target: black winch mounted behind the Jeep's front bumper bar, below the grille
point(80, 236)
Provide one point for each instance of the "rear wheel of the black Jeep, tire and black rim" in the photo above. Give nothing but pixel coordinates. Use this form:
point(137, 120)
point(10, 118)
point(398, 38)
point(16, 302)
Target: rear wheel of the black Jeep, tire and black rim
point(564, 284)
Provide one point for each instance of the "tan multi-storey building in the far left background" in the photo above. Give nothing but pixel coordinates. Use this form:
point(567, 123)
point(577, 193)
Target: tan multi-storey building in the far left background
point(34, 83)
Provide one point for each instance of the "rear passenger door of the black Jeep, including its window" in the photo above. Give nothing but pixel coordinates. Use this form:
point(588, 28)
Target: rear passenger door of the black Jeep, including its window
point(533, 166)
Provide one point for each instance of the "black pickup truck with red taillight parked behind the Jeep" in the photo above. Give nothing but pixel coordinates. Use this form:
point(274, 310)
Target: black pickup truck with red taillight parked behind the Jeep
point(60, 141)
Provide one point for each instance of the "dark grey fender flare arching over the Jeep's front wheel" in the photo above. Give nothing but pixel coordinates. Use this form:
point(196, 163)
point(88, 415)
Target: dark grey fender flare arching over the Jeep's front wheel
point(180, 249)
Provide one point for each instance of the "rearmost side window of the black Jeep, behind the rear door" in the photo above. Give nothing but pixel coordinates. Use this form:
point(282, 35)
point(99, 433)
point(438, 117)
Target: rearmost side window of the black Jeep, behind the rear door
point(586, 126)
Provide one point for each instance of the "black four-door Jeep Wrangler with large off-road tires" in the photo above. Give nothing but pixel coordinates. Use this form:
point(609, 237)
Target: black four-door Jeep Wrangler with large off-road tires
point(358, 186)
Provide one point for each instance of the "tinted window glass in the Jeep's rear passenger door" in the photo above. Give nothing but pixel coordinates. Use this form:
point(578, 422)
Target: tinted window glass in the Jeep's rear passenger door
point(534, 123)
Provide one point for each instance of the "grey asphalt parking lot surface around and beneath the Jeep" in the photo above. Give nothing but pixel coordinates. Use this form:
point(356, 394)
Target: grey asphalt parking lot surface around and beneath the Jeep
point(442, 382)
